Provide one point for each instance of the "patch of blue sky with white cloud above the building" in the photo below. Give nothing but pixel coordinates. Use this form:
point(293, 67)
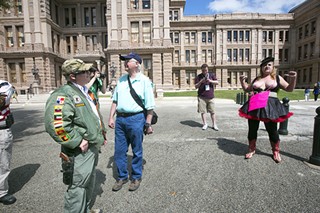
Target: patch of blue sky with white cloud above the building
point(201, 7)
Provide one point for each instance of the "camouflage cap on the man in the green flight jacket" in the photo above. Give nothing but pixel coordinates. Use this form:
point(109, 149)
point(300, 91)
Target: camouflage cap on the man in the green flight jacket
point(75, 66)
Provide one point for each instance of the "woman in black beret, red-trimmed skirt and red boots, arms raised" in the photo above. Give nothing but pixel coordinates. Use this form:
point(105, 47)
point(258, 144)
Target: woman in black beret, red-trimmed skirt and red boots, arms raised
point(273, 112)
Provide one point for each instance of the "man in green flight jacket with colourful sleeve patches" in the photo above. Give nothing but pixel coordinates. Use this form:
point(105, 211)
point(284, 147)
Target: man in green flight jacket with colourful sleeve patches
point(72, 119)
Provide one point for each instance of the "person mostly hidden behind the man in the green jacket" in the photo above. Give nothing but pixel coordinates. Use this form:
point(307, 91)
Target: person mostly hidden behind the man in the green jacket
point(98, 81)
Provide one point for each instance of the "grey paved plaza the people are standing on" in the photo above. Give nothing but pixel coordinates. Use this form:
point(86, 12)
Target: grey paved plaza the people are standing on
point(186, 169)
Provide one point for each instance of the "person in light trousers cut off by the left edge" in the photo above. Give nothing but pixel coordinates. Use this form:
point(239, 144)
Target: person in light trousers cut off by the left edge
point(6, 141)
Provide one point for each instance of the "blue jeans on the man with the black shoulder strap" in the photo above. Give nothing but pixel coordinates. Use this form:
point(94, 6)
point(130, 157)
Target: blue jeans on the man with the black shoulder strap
point(129, 131)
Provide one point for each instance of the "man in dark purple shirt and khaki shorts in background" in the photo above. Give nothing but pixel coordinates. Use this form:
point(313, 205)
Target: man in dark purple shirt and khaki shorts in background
point(205, 83)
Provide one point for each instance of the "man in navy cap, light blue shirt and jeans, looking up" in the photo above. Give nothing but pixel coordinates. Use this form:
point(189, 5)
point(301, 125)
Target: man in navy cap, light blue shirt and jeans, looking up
point(131, 122)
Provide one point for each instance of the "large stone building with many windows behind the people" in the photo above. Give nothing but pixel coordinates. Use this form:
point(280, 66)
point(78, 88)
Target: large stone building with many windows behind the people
point(37, 36)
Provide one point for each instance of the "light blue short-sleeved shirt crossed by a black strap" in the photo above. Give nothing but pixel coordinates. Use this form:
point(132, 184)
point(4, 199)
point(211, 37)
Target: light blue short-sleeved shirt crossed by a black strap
point(125, 102)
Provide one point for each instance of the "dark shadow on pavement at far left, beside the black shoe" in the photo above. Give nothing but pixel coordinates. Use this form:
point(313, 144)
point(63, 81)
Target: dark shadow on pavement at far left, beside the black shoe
point(20, 176)
